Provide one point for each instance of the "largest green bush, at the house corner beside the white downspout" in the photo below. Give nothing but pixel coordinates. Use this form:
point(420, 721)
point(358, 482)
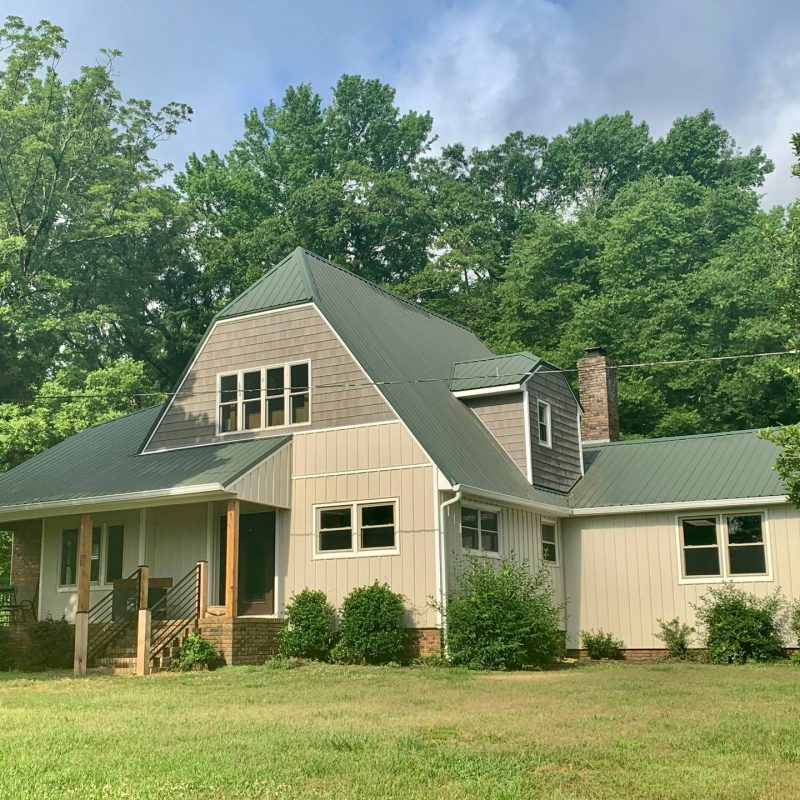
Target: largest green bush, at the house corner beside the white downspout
point(501, 616)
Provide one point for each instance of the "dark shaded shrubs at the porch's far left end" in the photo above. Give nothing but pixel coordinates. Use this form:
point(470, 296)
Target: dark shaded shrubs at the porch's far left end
point(37, 646)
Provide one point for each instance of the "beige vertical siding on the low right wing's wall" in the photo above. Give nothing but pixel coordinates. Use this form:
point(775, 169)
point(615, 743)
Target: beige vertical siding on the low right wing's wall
point(623, 571)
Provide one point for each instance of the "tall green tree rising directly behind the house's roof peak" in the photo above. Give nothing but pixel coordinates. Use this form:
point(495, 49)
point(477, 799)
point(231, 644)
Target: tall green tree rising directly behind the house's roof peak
point(340, 180)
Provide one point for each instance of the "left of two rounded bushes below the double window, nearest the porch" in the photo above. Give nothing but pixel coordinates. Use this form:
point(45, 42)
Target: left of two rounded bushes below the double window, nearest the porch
point(308, 629)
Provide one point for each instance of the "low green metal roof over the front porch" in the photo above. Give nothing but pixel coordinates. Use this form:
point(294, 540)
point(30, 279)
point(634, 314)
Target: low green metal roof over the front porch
point(103, 461)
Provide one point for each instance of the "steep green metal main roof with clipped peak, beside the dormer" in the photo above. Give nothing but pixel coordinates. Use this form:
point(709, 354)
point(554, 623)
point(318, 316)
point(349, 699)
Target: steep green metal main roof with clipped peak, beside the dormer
point(409, 352)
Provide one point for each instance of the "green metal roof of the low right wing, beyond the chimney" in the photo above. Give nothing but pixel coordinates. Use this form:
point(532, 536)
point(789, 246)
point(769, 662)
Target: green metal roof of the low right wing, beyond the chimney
point(714, 466)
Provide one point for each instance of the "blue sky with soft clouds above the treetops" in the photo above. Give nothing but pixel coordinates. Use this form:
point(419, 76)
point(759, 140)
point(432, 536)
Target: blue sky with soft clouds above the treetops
point(481, 67)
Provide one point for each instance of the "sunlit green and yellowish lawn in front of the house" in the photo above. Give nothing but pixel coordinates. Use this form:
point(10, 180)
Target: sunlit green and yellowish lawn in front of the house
point(606, 731)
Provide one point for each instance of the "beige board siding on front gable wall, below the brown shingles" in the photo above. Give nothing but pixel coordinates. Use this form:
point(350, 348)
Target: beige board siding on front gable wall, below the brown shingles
point(350, 465)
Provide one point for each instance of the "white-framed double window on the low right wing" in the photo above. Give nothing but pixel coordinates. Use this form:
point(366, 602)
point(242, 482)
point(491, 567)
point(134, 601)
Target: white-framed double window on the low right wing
point(741, 536)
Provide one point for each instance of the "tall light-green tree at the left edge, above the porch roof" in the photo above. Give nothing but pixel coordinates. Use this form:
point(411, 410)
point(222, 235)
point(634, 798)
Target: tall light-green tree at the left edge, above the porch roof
point(90, 242)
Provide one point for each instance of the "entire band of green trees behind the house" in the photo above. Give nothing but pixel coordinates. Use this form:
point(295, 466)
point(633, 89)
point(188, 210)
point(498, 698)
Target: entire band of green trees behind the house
point(111, 266)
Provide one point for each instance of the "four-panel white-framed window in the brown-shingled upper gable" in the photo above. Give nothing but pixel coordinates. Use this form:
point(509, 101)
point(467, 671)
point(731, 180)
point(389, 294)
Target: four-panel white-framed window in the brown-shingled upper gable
point(265, 398)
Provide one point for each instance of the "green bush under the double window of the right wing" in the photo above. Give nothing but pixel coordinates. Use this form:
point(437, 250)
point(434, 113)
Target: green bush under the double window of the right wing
point(739, 627)
